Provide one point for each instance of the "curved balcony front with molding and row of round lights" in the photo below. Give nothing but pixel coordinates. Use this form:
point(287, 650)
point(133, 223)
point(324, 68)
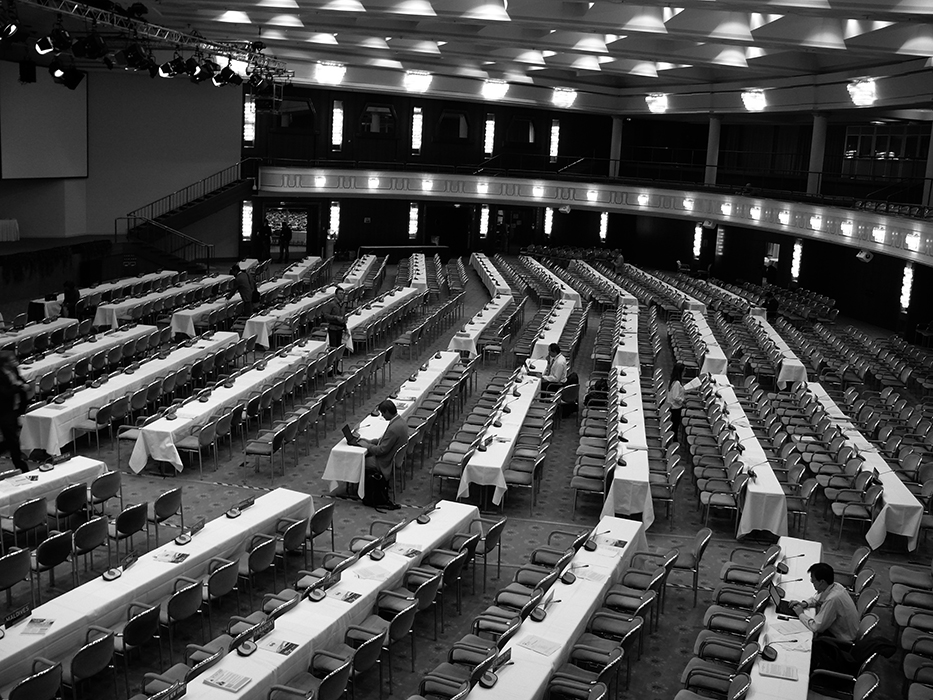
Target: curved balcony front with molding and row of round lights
point(890, 235)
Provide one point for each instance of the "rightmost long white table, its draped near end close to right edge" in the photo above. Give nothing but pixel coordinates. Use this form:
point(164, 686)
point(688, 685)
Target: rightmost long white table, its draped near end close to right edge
point(901, 512)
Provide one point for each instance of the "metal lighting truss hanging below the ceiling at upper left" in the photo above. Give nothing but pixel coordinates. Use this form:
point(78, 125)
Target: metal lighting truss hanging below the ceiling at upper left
point(269, 65)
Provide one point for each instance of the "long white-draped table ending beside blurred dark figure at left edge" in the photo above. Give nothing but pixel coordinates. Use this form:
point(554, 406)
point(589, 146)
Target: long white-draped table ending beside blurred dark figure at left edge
point(50, 427)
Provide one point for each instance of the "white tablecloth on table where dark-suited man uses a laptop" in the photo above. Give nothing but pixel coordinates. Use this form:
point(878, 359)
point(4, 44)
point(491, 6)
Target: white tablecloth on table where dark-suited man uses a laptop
point(346, 462)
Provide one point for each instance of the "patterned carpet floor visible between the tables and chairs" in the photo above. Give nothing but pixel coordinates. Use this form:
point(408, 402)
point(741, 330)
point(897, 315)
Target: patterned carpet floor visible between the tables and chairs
point(657, 673)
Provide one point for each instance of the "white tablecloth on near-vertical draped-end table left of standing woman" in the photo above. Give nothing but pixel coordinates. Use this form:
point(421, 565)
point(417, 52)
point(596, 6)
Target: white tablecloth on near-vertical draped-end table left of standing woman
point(630, 491)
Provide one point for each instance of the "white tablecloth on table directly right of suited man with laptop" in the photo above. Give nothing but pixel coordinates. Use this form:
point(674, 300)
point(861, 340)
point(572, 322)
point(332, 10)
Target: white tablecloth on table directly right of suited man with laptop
point(487, 467)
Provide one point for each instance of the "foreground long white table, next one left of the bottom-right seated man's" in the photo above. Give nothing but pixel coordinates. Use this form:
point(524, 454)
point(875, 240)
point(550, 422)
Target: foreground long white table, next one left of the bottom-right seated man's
point(539, 649)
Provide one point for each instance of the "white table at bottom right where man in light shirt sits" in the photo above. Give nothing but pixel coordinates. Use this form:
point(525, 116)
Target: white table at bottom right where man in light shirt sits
point(800, 556)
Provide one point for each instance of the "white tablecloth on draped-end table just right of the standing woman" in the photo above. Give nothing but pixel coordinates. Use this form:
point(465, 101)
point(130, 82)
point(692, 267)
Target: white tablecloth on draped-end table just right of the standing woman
point(765, 504)
